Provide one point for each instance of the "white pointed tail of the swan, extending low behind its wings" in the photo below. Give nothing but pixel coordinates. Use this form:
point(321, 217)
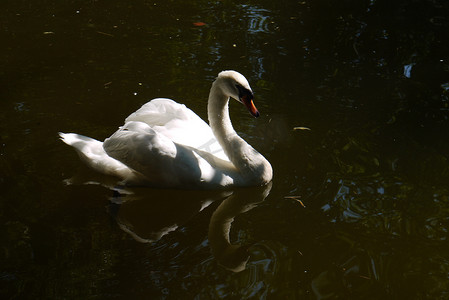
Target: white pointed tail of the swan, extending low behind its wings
point(92, 153)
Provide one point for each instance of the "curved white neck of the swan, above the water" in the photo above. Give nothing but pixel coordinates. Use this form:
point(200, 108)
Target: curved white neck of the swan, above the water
point(251, 165)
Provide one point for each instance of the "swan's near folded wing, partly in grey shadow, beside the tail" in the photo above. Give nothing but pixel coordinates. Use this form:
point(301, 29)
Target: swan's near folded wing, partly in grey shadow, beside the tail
point(162, 161)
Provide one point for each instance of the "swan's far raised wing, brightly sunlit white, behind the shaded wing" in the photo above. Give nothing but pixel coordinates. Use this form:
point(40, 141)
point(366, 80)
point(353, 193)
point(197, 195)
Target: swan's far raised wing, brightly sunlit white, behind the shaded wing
point(179, 124)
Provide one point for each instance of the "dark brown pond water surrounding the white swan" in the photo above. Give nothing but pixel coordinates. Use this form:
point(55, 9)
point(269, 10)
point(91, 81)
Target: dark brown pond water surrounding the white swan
point(370, 79)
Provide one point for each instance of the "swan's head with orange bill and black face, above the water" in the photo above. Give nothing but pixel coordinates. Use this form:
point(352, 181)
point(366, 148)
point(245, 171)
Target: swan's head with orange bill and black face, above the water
point(235, 85)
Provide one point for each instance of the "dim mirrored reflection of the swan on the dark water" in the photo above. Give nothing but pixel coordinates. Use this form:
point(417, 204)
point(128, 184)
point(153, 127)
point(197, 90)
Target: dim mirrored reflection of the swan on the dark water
point(148, 221)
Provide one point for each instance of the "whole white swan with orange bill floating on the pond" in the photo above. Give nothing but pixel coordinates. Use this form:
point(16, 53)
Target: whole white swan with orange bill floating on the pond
point(165, 144)
